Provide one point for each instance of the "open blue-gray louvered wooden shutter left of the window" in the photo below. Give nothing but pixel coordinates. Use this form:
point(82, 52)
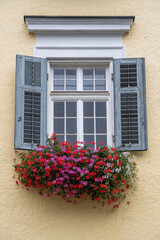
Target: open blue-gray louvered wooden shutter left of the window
point(30, 102)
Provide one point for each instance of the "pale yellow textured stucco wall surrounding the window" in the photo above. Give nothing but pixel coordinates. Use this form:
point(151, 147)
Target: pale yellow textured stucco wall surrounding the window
point(26, 215)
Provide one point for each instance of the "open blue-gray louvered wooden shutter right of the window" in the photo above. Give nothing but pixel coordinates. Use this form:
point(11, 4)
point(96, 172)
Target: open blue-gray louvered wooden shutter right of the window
point(130, 118)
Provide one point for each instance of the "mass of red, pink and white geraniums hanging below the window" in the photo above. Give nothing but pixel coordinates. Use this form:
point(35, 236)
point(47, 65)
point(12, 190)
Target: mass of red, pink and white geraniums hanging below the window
point(77, 171)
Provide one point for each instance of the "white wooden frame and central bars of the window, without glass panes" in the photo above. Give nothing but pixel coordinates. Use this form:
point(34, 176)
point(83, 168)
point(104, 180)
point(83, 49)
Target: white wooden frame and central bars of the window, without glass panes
point(80, 95)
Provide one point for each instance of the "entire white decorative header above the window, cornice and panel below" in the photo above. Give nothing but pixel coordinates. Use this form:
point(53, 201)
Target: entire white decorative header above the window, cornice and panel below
point(79, 37)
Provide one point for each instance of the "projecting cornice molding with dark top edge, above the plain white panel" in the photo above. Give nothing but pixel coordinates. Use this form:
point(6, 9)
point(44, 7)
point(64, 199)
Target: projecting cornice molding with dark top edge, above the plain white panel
point(42, 24)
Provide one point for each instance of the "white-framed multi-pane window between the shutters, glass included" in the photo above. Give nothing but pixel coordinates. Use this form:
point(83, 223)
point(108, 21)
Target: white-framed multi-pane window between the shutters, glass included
point(79, 102)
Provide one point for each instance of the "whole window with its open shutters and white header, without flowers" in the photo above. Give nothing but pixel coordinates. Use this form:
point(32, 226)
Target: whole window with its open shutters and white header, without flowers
point(92, 93)
